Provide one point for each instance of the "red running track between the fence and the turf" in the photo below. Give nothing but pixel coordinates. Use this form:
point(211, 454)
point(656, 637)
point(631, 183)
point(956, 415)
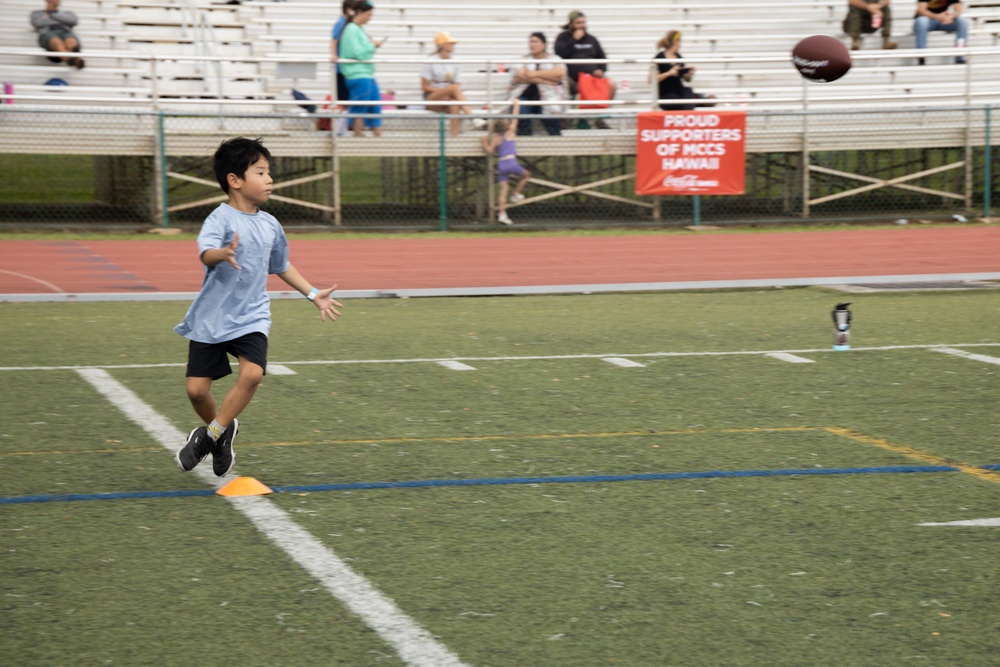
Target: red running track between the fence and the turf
point(386, 264)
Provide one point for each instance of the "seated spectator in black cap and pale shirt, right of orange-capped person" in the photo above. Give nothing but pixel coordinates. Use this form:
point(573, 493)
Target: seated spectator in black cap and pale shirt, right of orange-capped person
point(541, 81)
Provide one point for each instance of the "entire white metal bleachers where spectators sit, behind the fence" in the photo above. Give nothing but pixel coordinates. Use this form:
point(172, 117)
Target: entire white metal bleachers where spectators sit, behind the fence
point(740, 57)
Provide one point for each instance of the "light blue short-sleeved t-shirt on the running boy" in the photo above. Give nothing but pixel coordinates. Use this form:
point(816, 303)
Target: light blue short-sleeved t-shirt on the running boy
point(233, 303)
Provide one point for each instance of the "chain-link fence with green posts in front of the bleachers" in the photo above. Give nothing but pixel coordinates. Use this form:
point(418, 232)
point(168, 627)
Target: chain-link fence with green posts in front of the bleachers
point(83, 168)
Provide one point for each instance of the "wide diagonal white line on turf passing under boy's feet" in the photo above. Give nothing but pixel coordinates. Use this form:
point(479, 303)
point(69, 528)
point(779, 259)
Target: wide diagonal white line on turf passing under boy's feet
point(413, 644)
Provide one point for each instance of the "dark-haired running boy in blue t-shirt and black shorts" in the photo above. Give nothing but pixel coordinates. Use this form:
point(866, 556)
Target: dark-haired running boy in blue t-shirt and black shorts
point(240, 245)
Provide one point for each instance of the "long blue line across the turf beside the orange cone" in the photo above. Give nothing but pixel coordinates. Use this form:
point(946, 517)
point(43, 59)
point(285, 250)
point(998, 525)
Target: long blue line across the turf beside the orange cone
point(494, 481)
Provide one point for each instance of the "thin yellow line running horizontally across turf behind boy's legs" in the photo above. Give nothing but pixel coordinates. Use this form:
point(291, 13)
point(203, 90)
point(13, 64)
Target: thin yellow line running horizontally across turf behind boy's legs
point(464, 438)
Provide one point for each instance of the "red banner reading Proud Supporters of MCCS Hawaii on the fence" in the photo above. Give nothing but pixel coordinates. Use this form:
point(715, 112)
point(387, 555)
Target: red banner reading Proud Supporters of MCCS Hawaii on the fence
point(690, 153)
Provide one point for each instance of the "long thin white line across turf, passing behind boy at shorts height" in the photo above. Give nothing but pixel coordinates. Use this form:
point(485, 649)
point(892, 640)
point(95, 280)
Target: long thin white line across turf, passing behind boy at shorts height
point(942, 347)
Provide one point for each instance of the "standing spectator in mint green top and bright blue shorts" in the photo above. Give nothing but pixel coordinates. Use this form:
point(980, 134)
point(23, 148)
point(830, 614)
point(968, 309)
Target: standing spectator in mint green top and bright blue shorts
point(355, 44)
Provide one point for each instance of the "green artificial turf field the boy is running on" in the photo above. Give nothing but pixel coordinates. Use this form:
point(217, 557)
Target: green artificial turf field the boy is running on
point(806, 569)
